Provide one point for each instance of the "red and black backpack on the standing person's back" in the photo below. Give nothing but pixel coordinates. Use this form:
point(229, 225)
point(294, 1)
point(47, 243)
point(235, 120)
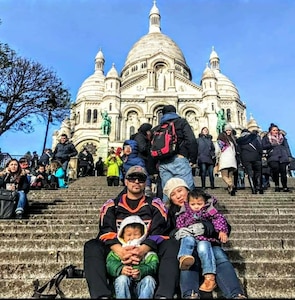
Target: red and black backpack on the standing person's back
point(164, 141)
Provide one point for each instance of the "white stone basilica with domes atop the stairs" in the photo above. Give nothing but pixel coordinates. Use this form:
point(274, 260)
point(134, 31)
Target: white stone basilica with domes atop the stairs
point(155, 73)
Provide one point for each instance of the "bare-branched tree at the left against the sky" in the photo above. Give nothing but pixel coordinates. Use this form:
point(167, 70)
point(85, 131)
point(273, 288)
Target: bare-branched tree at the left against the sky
point(28, 92)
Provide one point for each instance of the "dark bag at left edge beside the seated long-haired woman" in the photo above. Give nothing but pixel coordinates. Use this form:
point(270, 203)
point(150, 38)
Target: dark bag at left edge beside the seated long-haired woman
point(8, 200)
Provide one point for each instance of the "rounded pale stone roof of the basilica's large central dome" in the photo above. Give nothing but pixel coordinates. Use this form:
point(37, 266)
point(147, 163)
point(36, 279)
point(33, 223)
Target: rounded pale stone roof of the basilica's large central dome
point(151, 44)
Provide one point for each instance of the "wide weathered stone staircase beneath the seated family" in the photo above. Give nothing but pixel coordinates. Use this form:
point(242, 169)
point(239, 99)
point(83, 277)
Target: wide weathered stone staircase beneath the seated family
point(261, 247)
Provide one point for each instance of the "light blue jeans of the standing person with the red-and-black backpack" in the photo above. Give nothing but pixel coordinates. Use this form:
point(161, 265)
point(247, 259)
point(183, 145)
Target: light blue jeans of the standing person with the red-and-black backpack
point(178, 167)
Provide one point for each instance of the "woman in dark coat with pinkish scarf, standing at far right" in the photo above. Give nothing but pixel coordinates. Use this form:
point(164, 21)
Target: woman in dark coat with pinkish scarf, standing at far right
point(278, 155)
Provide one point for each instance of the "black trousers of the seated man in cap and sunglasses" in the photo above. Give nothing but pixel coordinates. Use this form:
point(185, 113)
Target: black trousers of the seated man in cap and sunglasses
point(95, 253)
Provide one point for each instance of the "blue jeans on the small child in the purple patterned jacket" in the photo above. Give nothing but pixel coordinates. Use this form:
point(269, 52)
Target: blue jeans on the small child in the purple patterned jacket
point(205, 253)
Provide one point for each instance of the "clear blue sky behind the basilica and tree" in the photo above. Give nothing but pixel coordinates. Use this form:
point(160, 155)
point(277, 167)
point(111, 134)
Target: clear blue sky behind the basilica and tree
point(254, 39)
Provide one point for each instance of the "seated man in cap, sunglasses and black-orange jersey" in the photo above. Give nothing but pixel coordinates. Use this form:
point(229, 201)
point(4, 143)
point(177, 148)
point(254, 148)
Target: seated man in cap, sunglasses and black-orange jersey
point(131, 201)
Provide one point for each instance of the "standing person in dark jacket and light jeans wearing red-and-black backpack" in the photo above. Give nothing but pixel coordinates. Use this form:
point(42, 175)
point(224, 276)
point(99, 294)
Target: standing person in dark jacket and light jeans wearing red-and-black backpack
point(186, 150)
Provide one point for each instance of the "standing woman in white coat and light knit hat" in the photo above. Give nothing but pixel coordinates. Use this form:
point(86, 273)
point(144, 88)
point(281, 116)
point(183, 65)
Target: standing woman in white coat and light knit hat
point(226, 157)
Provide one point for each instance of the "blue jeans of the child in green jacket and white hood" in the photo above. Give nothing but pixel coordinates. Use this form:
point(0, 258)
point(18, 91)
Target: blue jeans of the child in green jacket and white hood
point(143, 289)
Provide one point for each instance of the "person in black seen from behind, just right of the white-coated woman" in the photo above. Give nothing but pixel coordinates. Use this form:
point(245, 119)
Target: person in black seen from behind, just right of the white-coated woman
point(250, 150)
